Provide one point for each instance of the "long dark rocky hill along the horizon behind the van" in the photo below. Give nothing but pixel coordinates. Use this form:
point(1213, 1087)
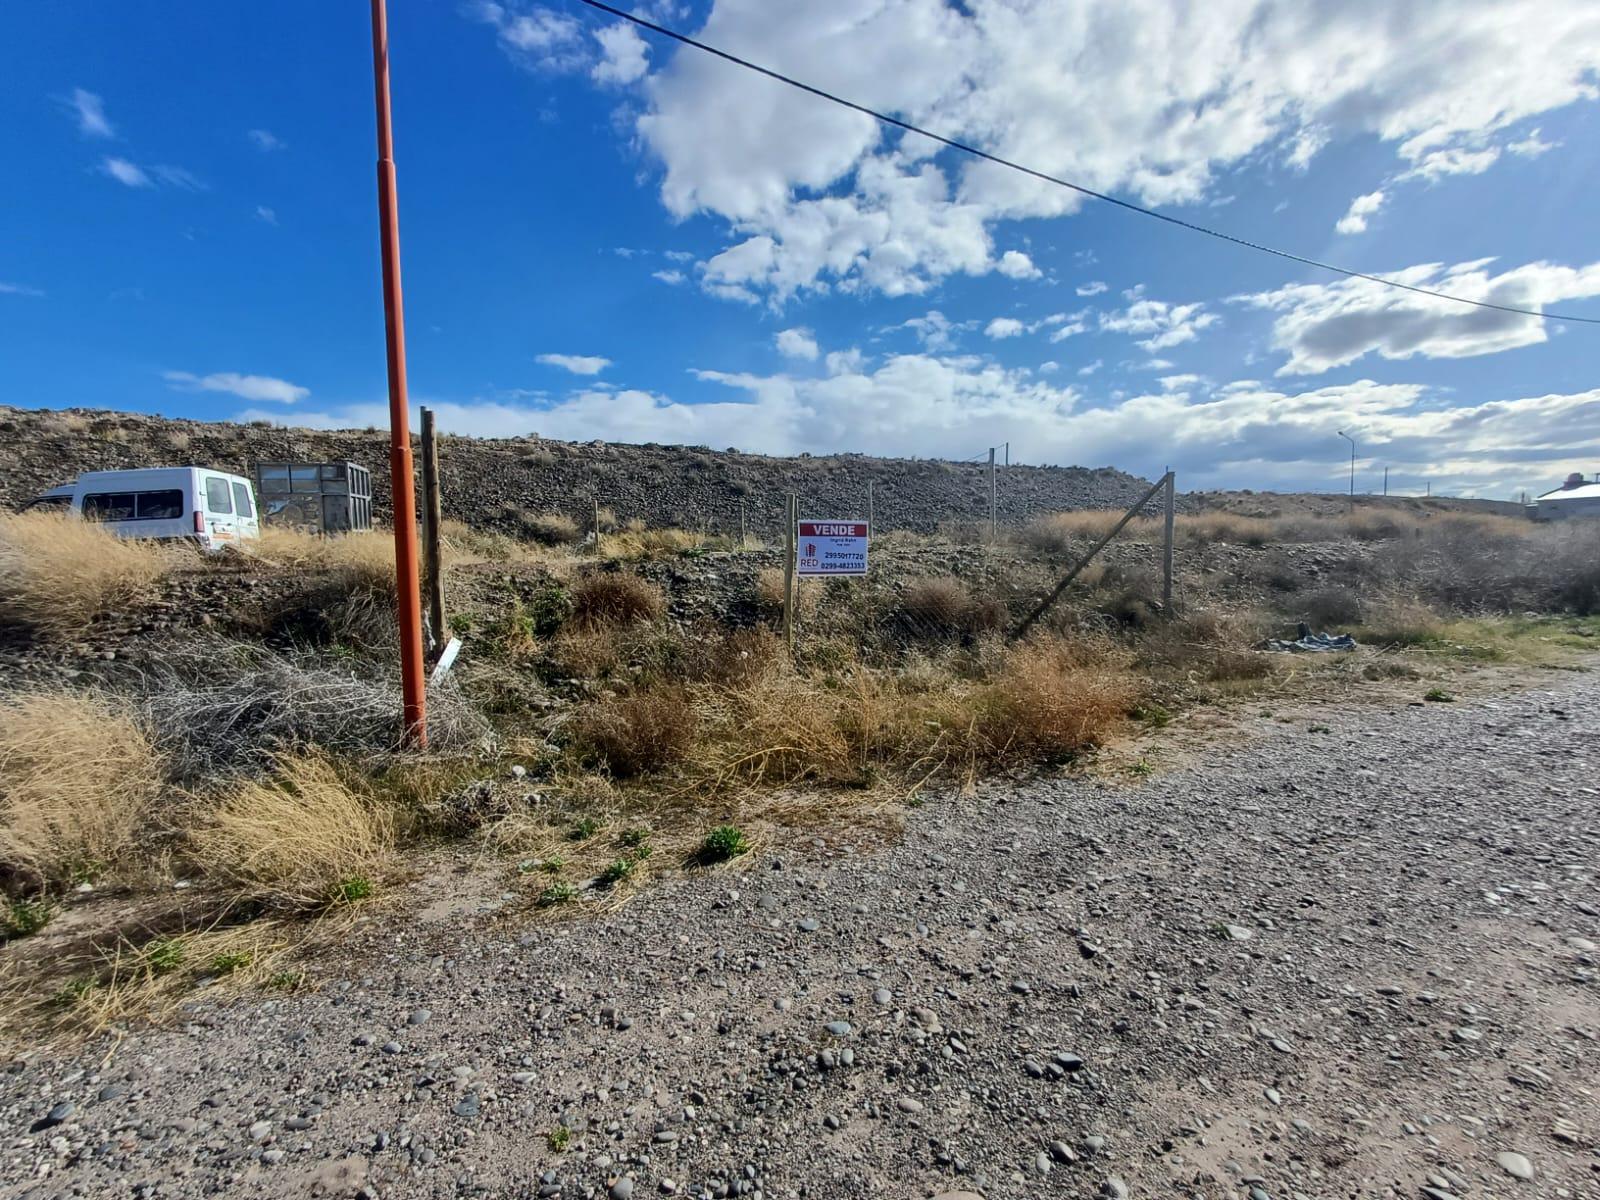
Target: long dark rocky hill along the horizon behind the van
point(490, 482)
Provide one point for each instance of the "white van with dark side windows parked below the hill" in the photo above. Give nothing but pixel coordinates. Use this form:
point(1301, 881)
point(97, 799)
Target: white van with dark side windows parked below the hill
point(207, 506)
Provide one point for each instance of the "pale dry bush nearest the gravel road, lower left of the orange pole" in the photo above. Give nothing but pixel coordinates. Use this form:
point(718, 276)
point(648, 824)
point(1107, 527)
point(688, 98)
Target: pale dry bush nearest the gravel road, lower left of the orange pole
point(297, 838)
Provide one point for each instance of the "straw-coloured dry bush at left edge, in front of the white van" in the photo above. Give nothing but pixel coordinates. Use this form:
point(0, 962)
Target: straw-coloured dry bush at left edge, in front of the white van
point(60, 572)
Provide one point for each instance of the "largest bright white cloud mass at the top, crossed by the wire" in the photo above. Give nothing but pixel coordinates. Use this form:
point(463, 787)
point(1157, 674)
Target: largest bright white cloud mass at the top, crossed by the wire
point(838, 202)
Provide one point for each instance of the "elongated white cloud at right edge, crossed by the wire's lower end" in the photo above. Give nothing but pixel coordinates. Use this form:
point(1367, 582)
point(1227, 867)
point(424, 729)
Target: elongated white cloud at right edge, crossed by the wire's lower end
point(1324, 326)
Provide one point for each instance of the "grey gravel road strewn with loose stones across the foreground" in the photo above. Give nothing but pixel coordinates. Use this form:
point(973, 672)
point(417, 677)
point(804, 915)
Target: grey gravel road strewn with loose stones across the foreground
point(1348, 964)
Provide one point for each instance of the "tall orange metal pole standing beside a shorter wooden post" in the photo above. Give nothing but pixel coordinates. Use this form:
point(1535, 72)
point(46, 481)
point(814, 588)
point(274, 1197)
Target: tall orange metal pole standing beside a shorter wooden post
point(401, 479)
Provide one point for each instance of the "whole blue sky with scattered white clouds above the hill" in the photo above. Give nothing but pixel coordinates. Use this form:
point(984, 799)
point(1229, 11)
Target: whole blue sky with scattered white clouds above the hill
point(610, 238)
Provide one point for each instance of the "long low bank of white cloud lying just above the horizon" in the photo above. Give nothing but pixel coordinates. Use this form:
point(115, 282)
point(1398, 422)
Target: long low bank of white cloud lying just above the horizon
point(1241, 434)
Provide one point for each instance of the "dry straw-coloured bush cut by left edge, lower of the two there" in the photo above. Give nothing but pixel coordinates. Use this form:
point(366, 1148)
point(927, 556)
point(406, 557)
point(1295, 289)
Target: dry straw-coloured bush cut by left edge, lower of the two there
point(78, 778)
